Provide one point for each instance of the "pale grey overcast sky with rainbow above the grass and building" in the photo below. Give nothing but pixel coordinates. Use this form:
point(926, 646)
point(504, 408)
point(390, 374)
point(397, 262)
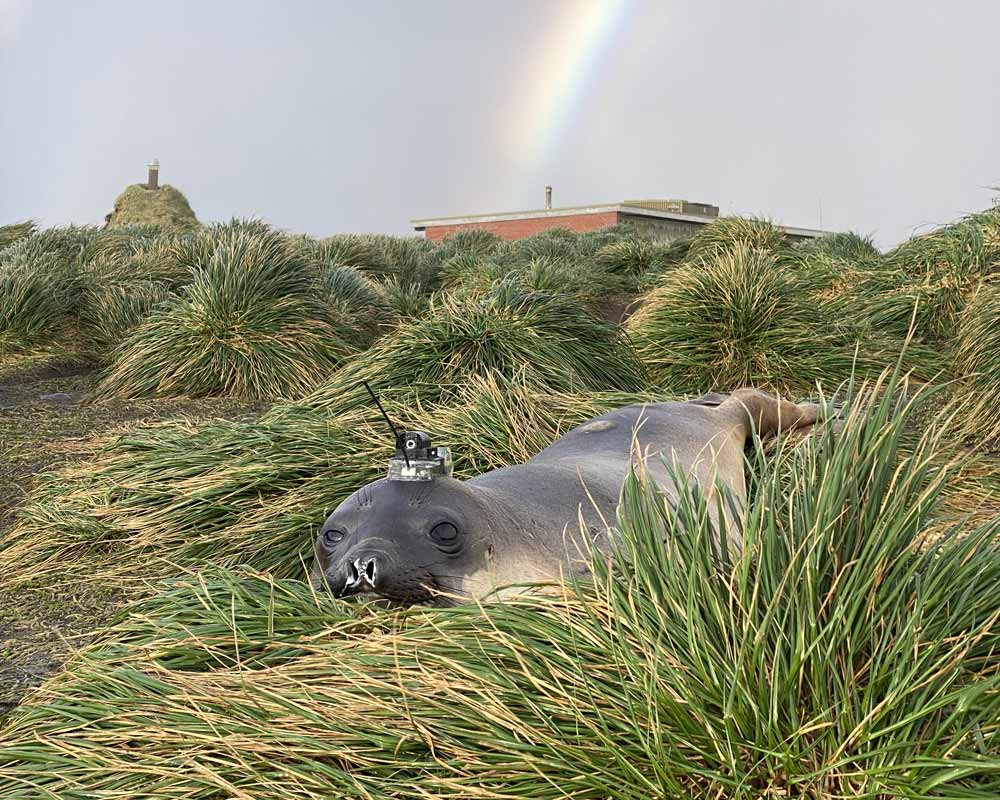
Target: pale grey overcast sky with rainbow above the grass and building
point(881, 116)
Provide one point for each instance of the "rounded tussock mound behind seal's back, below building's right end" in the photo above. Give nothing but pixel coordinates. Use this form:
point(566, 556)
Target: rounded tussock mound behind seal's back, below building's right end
point(740, 319)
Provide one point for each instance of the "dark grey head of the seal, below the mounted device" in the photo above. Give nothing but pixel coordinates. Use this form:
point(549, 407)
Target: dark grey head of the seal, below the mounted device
point(408, 541)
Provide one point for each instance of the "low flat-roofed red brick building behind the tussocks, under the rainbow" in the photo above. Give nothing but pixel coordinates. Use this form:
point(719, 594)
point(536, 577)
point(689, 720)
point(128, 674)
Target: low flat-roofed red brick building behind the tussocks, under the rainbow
point(659, 219)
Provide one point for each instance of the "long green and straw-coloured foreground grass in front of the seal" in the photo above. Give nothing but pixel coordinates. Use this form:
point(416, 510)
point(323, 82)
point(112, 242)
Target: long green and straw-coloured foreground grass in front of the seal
point(824, 661)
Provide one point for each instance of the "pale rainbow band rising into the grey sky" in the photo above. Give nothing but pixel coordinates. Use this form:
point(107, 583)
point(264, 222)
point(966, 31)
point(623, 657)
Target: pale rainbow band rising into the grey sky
point(570, 58)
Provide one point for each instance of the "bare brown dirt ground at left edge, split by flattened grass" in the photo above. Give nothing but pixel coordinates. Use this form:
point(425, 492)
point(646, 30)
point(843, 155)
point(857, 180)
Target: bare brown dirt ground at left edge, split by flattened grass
point(47, 420)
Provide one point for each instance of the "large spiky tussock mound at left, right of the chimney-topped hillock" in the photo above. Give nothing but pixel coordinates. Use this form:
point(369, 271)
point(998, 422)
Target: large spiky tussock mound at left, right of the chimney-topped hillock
point(248, 325)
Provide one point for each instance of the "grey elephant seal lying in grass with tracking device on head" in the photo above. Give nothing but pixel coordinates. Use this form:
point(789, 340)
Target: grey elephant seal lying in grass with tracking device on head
point(410, 540)
